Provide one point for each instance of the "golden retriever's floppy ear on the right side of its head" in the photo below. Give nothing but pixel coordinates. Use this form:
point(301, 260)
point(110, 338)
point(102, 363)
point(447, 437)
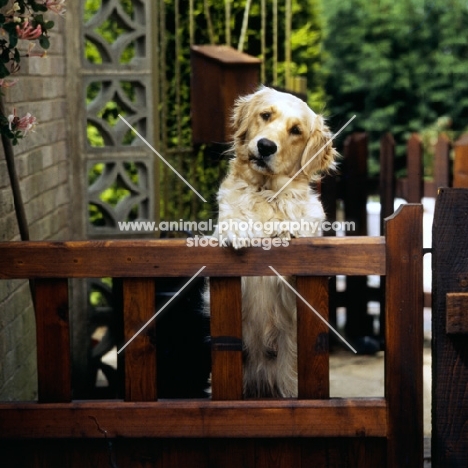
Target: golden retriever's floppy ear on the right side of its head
point(319, 154)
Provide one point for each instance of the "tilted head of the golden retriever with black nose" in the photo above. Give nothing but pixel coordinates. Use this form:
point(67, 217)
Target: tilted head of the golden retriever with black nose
point(277, 134)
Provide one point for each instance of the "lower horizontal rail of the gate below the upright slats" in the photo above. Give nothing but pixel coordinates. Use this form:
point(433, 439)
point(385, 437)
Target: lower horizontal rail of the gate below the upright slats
point(274, 418)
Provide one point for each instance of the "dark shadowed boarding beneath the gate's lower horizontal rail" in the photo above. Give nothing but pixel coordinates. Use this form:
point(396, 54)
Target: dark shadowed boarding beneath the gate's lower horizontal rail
point(362, 452)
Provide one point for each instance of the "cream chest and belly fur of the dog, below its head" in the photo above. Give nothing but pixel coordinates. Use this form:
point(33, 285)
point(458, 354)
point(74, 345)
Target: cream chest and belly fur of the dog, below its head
point(268, 305)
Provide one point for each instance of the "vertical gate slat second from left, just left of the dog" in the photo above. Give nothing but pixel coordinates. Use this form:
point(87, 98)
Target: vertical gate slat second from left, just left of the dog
point(140, 354)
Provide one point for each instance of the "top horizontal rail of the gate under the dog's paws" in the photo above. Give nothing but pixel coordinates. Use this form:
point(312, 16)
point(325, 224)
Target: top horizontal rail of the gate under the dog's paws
point(323, 256)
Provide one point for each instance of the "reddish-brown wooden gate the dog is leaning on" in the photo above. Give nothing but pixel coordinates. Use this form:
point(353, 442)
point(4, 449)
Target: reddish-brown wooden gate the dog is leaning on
point(225, 431)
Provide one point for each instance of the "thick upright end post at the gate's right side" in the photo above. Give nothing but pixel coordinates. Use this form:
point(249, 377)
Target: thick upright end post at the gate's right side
point(404, 337)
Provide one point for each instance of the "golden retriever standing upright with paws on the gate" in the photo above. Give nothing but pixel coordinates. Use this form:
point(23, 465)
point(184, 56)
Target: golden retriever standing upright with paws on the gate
point(279, 147)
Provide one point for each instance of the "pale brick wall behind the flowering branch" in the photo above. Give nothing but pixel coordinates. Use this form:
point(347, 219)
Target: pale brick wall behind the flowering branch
point(43, 169)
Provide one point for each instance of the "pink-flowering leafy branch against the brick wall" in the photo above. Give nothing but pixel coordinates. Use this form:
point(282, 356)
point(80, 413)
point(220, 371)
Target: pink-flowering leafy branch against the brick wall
point(24, 20)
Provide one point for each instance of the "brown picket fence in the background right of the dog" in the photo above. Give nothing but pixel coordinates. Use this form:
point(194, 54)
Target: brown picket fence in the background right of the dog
point(354, 186)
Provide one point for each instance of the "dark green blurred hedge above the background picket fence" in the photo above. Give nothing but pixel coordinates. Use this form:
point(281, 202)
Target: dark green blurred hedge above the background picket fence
point(399, 66)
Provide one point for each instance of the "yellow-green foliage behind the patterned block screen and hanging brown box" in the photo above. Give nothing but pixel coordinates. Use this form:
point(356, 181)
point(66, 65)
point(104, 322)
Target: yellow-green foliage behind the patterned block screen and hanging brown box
point(205, 166)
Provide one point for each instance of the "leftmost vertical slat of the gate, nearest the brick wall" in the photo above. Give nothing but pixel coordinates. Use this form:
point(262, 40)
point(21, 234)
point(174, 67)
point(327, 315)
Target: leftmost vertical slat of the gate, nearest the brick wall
point(53, 340)
